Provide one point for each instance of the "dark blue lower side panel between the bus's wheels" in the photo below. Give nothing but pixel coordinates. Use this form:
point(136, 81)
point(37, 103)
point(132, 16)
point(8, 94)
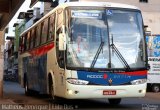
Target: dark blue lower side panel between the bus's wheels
point(35, 70)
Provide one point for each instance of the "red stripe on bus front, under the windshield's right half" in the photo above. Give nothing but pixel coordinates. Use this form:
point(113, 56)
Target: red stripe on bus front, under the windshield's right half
point(135, 73)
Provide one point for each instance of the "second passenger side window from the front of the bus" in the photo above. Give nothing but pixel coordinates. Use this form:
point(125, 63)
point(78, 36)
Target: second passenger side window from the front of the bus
point(44, 31)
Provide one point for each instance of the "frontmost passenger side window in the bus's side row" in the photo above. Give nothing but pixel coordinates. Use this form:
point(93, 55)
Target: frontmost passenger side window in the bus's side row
point(51, 27)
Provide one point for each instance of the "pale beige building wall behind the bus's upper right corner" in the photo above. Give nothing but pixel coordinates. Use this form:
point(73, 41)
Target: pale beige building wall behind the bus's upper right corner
point(150, 12)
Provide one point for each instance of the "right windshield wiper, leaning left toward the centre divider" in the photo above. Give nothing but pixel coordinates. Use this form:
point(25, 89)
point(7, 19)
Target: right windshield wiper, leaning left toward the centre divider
point(119, 55)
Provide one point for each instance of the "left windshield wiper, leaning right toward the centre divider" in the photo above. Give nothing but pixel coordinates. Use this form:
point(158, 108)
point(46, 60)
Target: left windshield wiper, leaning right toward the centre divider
point(97, 54)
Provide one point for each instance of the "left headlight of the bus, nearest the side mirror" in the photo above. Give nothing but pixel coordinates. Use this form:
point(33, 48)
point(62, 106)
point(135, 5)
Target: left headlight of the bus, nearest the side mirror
point(77, 81)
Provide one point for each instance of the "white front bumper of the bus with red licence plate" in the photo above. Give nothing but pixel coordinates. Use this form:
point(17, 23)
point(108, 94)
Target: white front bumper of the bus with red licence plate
point(94, 91)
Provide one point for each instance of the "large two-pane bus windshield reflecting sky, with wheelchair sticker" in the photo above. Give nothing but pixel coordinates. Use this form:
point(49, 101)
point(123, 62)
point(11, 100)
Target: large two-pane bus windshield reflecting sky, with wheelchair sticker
point(105, 38)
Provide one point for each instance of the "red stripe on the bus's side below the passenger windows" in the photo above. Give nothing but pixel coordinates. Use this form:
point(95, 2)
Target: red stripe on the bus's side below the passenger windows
point(41, 50)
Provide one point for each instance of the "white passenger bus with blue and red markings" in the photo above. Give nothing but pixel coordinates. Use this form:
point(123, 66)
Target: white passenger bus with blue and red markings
point(83, 50)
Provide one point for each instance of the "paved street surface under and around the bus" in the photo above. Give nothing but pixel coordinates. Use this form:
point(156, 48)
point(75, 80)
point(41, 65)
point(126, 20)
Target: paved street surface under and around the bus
point(15, 93)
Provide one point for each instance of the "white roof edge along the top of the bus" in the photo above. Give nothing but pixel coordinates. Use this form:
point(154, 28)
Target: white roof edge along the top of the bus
point(85, 4)
